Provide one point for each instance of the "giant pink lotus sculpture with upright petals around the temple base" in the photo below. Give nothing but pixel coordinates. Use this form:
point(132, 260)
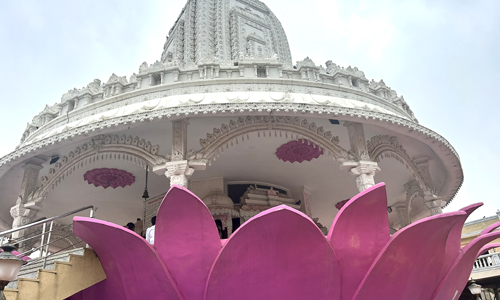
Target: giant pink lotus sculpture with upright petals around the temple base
point(281, 254)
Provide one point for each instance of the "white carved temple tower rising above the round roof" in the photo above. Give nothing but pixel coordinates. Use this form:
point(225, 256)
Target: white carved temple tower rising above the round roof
point(209, 31)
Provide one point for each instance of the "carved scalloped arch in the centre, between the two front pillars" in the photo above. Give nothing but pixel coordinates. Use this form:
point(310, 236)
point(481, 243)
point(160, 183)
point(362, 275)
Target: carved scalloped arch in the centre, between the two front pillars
point(228, 135)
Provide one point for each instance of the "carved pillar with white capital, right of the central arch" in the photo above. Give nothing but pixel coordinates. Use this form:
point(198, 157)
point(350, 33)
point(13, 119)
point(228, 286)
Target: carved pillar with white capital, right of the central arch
point(363, 169)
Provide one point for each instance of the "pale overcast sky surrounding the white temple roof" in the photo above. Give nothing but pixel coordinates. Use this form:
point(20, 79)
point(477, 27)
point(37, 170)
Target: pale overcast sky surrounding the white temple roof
point(441, 55)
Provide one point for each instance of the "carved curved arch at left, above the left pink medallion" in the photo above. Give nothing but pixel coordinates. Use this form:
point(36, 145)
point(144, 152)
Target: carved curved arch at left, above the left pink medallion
point(101, 147)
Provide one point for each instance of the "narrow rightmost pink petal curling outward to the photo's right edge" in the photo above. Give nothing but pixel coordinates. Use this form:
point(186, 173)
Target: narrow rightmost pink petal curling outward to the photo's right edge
point(456, 279)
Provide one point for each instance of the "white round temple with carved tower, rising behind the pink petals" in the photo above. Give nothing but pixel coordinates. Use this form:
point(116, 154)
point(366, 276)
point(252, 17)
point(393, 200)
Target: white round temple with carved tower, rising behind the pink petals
point(226, 113)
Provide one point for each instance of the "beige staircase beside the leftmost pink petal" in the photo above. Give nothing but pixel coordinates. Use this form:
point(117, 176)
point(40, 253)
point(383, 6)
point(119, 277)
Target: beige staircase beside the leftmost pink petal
point(65, 274)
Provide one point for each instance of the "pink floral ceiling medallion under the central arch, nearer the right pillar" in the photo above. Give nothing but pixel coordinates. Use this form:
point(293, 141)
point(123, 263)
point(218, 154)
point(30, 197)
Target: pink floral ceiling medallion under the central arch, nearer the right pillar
point(299, 151)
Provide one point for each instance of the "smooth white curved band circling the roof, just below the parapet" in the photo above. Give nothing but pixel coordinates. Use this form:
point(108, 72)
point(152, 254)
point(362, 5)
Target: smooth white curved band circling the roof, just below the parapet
point(192, 93)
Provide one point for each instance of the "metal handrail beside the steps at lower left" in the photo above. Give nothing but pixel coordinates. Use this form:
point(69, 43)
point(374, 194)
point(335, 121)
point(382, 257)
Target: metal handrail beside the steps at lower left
point(45, 236)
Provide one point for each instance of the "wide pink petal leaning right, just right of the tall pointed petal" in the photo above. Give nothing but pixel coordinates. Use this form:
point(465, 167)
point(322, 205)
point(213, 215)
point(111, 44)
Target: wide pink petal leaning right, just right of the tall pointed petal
point(409, 266)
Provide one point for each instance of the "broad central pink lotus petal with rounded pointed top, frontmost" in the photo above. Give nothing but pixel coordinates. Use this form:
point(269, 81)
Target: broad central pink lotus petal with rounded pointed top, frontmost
point(278, 254)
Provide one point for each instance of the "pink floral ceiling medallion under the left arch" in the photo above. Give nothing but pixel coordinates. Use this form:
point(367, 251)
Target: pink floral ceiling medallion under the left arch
point(109, 178)
